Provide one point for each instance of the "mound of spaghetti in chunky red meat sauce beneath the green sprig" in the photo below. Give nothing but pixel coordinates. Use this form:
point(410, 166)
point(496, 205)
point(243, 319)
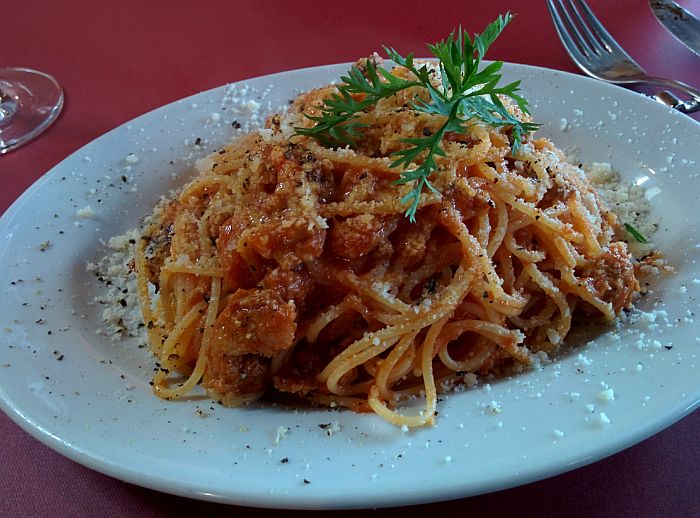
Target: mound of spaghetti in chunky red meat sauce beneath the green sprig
point(288, 270)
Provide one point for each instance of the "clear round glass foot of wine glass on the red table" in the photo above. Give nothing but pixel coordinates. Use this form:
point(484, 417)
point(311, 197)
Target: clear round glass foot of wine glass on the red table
point(29, 102)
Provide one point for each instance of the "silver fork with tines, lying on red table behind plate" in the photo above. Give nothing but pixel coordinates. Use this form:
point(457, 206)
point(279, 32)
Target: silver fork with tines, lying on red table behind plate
point(599, 55)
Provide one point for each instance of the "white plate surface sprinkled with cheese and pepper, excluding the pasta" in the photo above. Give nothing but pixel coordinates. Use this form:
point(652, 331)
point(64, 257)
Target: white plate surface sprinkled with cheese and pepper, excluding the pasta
point(89, 398)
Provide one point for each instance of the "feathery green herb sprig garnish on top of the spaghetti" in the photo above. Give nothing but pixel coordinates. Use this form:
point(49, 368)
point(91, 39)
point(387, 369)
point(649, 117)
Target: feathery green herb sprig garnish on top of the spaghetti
point(465, 93)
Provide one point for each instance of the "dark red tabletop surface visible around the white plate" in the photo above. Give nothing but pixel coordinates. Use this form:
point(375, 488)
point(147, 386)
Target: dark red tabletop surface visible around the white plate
point(118, 60)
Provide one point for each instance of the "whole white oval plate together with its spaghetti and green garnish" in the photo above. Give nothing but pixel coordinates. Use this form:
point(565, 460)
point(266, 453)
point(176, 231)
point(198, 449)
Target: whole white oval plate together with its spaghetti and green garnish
point(392, 289)
